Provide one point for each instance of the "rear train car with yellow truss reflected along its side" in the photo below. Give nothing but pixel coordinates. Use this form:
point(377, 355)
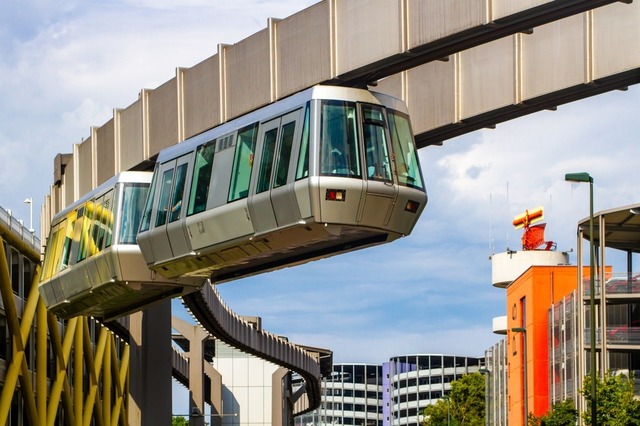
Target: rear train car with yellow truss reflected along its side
point(92, 263)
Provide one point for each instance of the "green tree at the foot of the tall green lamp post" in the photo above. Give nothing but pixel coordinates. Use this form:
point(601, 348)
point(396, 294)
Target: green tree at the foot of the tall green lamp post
point(615, 404)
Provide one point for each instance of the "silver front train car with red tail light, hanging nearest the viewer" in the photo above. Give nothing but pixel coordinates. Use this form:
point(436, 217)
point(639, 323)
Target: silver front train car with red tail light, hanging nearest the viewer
point(322, 172)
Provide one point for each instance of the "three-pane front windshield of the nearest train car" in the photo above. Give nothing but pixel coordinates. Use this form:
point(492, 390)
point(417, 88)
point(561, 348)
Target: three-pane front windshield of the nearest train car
point(340, 143)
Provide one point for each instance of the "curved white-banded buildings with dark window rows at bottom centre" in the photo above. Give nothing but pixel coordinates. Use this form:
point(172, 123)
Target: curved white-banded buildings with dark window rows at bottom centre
point(394, 393)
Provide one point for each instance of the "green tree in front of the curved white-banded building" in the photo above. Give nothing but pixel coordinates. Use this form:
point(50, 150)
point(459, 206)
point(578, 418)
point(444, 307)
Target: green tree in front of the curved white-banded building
point(464, 406)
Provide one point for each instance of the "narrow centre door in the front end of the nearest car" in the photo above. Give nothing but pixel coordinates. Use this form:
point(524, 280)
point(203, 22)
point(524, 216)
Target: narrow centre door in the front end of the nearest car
point(380, 190)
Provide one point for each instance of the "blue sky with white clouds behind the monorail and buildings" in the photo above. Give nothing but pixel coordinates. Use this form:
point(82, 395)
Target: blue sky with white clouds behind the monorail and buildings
point(64, 66)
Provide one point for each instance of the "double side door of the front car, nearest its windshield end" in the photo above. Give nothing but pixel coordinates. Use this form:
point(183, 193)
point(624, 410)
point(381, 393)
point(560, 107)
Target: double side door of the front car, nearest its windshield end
point(272, 205)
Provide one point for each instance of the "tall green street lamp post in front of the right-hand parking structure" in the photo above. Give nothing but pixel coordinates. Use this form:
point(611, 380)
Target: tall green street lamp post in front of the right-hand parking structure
point(586, 178)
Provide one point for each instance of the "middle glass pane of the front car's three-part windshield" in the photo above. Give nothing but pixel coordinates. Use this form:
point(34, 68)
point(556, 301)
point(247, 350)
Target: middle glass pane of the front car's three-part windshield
point(375, 142)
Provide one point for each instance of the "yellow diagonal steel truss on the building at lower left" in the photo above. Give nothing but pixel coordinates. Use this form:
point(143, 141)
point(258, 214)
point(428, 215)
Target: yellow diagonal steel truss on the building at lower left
point(65, 397)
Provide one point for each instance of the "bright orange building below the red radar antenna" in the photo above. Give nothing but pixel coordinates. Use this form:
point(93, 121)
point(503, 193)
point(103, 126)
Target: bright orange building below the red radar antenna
point(529, 298)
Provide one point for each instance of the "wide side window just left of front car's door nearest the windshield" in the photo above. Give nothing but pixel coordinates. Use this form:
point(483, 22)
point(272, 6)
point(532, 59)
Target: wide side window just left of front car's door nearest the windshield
point(243, 162)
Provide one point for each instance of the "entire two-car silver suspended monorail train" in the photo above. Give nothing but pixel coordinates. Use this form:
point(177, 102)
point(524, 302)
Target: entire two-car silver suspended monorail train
point(325, 171)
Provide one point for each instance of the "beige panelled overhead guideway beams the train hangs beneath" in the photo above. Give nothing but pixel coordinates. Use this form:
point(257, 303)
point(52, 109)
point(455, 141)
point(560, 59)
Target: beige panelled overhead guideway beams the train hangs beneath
point(459, 64)
